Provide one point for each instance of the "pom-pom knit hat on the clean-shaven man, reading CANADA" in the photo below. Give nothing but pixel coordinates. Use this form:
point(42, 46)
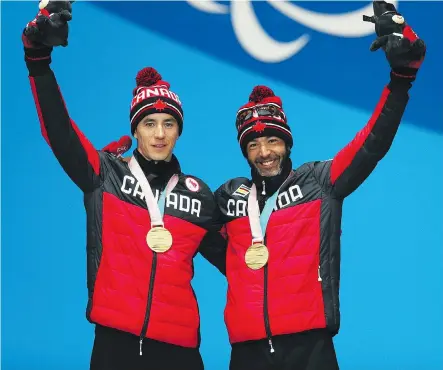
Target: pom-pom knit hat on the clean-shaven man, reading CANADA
point(152, 95)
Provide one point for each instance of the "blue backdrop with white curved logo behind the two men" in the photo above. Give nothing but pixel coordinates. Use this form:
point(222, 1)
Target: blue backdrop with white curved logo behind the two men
point(213, 54)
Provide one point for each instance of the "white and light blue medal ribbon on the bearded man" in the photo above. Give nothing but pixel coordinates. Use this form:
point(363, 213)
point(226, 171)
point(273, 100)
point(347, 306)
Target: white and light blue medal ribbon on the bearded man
point(259, 222)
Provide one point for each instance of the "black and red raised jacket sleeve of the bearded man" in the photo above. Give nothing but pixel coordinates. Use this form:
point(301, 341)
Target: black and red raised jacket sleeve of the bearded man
point(355, 162)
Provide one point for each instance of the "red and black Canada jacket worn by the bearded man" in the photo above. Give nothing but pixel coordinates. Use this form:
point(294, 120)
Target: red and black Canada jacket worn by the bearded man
point(298, 289)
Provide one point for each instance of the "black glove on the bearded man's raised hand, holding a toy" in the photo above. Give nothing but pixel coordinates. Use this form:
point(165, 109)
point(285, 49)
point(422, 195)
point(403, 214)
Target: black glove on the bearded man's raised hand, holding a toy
point(404, 51)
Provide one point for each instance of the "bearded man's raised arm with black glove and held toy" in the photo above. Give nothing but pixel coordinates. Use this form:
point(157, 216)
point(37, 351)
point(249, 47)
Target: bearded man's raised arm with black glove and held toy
point(405, 53)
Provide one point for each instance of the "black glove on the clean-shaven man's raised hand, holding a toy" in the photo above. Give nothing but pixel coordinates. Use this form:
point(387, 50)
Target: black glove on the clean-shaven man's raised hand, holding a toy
point(48, 29)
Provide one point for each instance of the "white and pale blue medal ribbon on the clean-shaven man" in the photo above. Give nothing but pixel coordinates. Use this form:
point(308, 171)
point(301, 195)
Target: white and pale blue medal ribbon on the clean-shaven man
point(156, 211)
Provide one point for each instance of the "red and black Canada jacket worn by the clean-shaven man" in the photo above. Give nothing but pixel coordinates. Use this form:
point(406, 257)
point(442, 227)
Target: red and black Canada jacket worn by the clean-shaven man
point(130, 287)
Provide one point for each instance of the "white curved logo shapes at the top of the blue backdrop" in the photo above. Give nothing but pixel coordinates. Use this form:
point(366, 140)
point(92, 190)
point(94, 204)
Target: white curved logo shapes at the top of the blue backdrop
point(256, 41)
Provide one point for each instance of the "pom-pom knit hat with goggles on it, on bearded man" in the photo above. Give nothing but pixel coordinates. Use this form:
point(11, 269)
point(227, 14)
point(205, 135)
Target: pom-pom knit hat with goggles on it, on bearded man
point(263, 115)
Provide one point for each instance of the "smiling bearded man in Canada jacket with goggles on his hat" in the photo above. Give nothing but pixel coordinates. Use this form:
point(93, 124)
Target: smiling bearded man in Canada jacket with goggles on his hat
point(283, 225)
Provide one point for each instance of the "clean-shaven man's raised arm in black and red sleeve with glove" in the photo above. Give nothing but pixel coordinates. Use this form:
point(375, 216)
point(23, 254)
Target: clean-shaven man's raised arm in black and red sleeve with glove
point(74, 152)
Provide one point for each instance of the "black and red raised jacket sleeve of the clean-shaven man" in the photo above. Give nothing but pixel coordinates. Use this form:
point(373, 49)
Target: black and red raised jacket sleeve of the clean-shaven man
point(72, 149)
